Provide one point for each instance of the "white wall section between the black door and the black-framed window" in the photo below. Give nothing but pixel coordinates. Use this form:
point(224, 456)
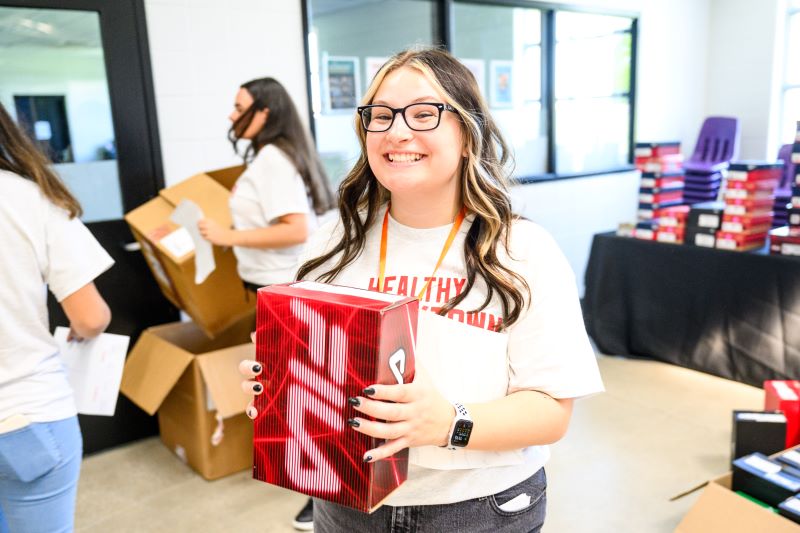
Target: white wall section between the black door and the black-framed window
point(201, 52)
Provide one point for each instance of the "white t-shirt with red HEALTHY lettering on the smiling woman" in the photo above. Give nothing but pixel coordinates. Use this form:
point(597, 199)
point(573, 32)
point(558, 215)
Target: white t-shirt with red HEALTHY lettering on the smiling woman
point(546, 350)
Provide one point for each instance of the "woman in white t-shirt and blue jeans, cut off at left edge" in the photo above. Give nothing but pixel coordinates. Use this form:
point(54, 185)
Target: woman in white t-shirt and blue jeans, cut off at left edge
point(44, 245)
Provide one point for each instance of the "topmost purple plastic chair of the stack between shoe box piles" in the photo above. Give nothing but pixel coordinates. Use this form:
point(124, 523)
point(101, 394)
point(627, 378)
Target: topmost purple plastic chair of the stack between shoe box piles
point(717, 145)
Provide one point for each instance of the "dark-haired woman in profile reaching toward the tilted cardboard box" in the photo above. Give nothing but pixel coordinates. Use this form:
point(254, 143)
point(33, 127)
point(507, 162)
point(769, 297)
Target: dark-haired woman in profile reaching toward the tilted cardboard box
point(276, 201)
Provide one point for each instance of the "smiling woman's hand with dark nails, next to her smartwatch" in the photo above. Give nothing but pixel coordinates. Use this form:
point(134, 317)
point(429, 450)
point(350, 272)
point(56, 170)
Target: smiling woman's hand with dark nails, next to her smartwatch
point(413, 414)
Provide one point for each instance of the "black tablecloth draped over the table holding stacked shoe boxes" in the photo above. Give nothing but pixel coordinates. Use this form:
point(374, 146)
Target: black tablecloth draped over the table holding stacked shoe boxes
point(731, 314)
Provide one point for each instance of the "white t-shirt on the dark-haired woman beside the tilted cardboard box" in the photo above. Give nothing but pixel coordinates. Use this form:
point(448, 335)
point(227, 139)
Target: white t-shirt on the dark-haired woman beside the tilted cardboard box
point(270, 188)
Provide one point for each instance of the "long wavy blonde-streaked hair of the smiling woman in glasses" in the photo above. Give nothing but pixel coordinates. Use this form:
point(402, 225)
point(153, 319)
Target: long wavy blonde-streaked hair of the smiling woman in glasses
point(484, 187)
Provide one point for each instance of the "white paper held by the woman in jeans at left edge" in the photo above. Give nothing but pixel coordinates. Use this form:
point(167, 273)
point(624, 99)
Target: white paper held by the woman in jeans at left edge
point(94, 370)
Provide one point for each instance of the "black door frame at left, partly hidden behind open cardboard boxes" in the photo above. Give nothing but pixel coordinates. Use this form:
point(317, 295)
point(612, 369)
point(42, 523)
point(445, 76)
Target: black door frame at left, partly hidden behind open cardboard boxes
point(139, 302)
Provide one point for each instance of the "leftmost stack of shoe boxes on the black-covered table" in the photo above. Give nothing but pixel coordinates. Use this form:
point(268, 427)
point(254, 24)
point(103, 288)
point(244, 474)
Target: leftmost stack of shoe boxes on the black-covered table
point(660, 190)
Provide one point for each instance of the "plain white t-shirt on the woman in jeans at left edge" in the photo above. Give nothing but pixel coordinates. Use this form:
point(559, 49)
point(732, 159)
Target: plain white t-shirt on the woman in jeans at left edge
point(42, 247)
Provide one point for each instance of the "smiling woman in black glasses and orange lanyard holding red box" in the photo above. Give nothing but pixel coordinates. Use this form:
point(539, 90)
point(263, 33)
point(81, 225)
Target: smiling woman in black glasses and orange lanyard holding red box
point(502, 351)
